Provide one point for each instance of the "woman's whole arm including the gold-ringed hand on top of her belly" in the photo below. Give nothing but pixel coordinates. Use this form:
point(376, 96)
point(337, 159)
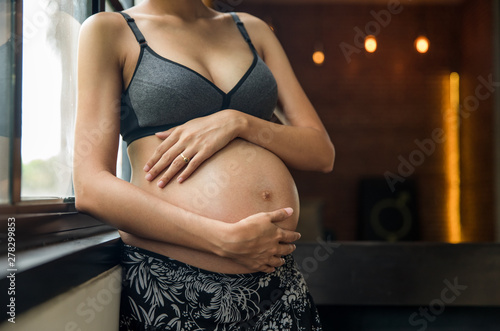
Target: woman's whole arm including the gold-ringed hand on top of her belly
point(303, 144)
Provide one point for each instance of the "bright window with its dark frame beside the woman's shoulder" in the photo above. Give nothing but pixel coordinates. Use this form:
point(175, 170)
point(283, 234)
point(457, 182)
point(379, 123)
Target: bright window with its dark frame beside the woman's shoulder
point(38, 50)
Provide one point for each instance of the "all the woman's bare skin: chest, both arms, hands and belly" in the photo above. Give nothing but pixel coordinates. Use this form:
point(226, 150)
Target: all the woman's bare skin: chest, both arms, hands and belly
point(252, 237)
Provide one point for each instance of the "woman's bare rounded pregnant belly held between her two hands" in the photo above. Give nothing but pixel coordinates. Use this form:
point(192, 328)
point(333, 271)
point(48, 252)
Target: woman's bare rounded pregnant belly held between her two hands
point(240, 180)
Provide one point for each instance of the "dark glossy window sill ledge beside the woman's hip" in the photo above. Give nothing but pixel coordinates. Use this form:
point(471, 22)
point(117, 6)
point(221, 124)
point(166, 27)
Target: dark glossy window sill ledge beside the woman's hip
point(54, 253)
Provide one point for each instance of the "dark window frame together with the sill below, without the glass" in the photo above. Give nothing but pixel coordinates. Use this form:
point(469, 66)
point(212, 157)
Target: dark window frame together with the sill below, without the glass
point(56, 246)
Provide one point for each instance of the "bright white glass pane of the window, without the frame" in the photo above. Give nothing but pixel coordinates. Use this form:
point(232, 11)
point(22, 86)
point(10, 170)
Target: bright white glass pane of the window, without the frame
point(50, 38)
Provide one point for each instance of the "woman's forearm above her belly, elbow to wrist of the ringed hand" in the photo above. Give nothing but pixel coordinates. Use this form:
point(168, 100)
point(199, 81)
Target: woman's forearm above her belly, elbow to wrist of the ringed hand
point(303, 148)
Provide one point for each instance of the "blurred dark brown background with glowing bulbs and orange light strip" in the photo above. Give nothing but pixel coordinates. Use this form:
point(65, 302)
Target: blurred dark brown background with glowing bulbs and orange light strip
point(415, 128)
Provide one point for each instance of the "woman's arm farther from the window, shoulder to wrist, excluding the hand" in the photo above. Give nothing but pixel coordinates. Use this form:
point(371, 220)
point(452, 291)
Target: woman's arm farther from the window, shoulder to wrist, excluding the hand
point(303, 144)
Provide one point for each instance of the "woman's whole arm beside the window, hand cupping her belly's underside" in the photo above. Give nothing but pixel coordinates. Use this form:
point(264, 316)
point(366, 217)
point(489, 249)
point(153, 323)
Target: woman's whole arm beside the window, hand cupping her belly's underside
point(254, 242)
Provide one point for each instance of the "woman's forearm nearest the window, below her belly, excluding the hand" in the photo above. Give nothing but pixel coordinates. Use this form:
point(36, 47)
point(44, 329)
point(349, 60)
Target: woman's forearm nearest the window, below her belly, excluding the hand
point(135, 211)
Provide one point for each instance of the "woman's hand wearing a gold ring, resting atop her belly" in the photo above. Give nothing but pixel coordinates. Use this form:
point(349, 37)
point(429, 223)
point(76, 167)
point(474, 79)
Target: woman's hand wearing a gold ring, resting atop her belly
point(197, 140)
